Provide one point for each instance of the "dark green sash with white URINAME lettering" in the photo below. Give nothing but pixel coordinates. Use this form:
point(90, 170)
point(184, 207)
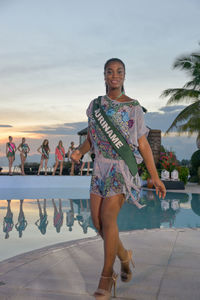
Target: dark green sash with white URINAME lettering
point(114, 137)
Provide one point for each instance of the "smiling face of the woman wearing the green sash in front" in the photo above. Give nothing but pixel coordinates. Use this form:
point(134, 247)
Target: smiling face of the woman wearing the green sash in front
point(114, 75)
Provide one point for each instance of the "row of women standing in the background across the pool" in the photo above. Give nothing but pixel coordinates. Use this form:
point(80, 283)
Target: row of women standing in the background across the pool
point(44, 150)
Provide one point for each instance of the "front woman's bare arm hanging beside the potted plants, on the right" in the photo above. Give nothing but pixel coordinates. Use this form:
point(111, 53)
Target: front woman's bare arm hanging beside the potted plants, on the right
point(147, 155)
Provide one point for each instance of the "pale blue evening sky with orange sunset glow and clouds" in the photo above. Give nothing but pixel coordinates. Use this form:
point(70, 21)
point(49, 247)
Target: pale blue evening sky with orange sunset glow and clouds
point(52, 56)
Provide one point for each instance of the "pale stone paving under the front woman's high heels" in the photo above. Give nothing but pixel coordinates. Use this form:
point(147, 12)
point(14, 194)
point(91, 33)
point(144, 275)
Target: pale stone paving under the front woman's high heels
point(167, 268)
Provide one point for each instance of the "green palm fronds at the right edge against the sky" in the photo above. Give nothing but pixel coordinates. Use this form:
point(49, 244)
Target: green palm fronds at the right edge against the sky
point(188, 120)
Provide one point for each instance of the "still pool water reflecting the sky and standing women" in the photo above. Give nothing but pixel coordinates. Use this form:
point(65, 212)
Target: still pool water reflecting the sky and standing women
point(27, 224)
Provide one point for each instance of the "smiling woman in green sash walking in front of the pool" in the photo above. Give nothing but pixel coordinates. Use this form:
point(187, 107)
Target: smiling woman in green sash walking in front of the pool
point(113, 180)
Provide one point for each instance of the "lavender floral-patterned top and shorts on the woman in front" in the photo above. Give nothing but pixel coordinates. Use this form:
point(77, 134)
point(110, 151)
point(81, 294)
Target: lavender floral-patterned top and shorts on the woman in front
point(111, 175)
